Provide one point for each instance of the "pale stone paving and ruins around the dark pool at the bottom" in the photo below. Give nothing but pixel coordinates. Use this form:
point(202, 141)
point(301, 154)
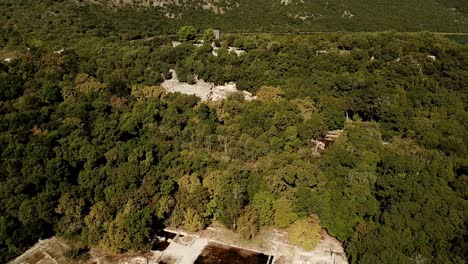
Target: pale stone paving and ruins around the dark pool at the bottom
point(185, 248)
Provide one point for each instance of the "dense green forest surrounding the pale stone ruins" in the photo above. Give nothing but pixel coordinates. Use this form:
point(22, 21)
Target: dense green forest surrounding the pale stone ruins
point(92, 149)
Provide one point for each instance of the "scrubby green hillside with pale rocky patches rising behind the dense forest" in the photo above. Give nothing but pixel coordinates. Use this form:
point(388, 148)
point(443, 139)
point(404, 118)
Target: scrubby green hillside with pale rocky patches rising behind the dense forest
point(105, 17)
